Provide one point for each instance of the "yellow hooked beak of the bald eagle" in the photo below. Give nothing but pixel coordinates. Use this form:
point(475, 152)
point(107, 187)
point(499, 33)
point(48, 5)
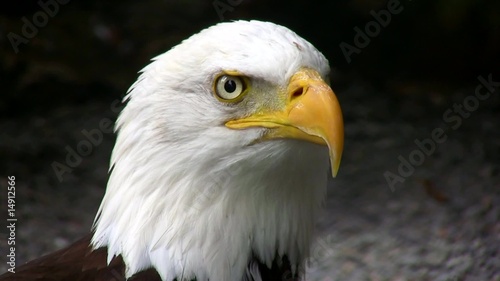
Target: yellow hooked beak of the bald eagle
point(311, 113)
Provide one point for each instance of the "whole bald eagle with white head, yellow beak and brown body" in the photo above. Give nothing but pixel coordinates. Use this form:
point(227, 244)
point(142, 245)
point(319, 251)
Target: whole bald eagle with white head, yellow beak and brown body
point(219, 167)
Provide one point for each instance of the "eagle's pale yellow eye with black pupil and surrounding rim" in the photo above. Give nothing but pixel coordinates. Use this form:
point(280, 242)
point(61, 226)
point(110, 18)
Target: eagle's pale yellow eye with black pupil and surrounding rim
point(229, 88)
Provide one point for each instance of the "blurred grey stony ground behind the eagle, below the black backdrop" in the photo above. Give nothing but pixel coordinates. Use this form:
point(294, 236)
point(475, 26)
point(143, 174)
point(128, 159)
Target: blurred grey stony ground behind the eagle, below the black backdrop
point(441, 223)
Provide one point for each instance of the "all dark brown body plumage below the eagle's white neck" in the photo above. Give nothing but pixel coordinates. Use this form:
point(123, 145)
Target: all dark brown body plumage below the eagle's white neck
point(78, 262)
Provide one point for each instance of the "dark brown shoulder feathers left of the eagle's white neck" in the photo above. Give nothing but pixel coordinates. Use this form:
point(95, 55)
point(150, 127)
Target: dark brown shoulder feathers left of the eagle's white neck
point(77, 262)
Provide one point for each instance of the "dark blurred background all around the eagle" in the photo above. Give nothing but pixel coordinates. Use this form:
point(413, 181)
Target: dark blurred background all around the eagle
point(397, 67)
